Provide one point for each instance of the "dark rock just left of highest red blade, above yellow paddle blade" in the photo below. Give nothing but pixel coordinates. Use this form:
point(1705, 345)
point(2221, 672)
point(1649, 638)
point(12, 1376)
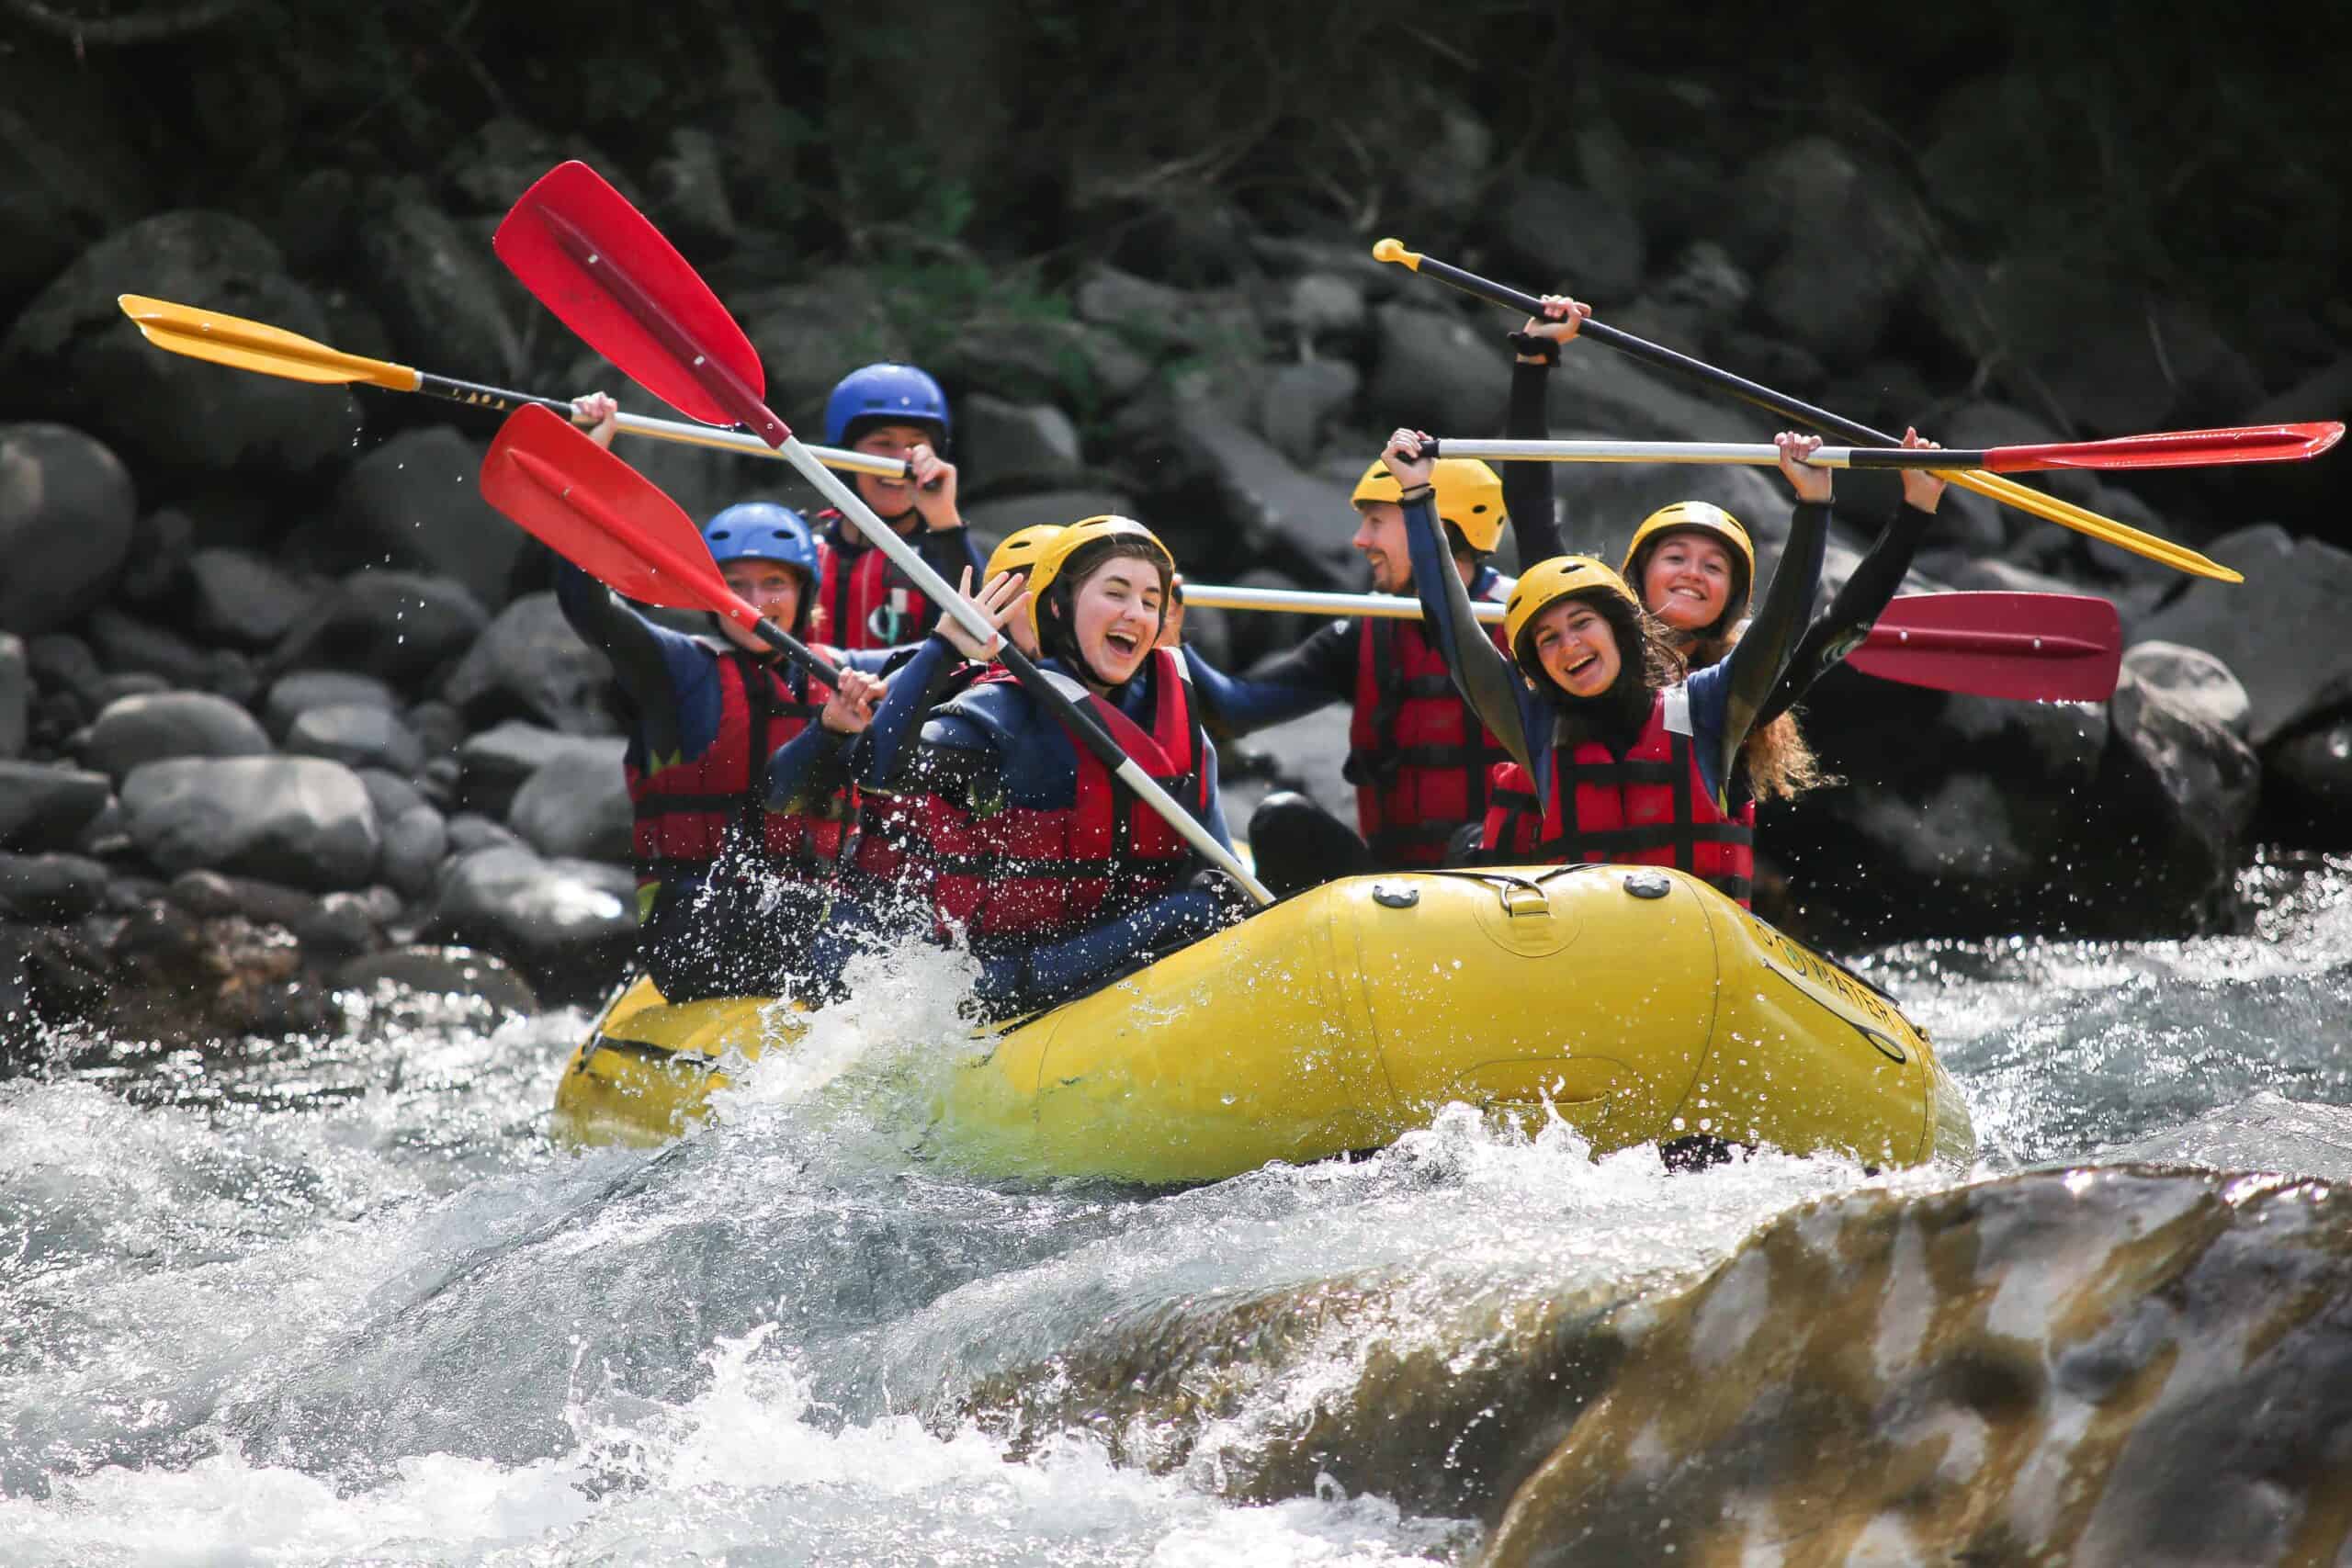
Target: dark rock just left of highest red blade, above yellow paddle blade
point(436, 283)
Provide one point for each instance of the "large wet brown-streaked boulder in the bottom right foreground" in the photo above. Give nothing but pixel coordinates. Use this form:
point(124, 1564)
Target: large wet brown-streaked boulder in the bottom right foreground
point(1852, 1386)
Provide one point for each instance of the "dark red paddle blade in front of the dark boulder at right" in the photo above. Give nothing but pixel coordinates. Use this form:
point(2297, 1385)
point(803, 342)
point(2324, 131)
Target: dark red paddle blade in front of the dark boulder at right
point(2033, 648)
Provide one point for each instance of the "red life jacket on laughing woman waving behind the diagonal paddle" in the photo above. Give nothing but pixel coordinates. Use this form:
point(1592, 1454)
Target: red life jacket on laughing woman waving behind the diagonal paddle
point(1041, 873)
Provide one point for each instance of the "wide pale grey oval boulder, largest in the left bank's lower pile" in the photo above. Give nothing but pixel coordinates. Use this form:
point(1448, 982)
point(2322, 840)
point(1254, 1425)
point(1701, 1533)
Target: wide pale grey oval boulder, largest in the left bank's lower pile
point(302, 822)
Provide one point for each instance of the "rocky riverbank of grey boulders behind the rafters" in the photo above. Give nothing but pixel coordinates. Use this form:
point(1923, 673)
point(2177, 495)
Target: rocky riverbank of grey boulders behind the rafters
point(279, 695)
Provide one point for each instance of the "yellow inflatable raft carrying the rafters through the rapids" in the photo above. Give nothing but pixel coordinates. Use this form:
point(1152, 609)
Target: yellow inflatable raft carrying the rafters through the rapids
point(1638, 1005)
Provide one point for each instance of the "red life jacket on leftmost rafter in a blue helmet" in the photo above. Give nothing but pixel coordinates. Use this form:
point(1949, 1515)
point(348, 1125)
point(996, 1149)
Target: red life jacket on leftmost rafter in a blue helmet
point(695, 812)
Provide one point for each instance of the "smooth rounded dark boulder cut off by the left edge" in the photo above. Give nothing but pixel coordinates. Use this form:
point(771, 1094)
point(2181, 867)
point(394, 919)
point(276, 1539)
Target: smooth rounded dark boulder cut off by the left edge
point(67, 514)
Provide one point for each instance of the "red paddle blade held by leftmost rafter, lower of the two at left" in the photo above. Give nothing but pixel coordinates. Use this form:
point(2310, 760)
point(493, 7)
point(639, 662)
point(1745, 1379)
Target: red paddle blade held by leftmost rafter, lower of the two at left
point(603, 516)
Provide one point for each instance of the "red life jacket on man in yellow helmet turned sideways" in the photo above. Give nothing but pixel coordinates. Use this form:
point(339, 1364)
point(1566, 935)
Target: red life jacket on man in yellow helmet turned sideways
point(1417, 751)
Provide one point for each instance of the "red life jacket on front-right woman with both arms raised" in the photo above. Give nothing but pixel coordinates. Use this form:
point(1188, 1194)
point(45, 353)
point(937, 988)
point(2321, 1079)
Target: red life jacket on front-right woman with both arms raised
point(1648, 808)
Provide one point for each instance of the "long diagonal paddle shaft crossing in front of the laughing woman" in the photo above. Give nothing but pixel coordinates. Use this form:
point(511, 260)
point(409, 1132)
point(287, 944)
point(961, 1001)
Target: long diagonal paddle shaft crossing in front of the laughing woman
point(742, 401)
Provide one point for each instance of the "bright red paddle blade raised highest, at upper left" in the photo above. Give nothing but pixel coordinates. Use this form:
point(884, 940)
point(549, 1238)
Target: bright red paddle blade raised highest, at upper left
point(601, 267)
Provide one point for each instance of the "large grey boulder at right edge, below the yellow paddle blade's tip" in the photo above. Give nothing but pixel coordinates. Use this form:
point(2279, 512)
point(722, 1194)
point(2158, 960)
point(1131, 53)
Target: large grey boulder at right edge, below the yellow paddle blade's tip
point(2299, 584)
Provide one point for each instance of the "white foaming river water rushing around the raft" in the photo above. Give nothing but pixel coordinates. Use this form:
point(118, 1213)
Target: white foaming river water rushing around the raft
point(345, 1304)
